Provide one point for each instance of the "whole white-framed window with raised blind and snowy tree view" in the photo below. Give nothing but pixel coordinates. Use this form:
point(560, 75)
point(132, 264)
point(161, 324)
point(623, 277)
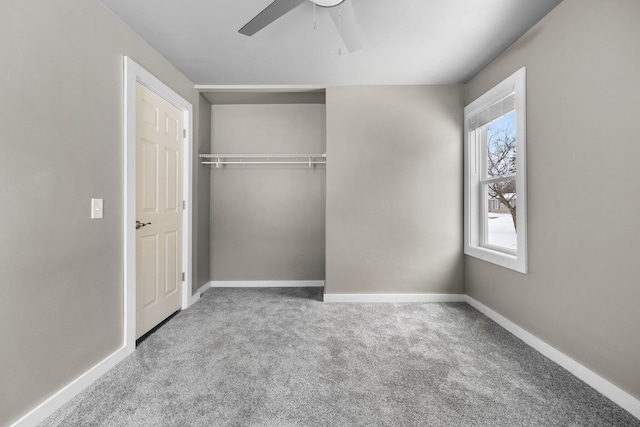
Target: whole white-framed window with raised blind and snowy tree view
point(495, 175)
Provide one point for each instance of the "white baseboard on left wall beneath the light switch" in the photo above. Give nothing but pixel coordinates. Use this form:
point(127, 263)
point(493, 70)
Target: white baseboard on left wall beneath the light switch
point(68, 392)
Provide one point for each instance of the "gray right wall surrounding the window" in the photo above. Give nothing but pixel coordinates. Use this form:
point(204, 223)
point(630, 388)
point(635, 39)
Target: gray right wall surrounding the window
point(583, 105)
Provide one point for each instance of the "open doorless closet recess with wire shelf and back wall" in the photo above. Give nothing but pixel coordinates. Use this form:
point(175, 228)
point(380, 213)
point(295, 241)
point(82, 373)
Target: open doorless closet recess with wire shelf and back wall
point(268, 168)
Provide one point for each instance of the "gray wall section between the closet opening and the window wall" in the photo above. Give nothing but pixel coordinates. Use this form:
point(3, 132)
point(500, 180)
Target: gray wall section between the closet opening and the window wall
point(394, 190)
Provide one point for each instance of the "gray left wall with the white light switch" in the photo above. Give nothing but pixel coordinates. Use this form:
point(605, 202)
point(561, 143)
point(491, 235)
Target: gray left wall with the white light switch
point(61, 118)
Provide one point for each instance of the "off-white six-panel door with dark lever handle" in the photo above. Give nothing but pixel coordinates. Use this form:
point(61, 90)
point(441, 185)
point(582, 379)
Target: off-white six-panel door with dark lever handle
point(159, 140)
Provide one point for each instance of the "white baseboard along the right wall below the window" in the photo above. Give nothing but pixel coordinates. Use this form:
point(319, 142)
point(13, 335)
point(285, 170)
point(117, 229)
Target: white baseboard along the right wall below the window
point(603, 386)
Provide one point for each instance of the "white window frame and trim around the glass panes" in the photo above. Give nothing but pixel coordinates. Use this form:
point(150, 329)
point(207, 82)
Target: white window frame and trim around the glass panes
point(475, 206)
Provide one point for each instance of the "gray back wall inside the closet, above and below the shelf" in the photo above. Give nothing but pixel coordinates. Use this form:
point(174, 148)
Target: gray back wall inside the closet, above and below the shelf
point(268, 223)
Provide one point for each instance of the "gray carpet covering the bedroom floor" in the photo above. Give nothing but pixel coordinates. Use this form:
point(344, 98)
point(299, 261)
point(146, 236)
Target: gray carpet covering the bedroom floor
point(281, 357)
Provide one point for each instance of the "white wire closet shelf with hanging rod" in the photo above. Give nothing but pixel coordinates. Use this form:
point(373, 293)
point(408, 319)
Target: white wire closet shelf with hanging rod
point(220, 160)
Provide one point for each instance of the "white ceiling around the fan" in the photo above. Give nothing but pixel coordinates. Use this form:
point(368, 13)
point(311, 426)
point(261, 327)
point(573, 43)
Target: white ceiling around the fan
point(404, 41)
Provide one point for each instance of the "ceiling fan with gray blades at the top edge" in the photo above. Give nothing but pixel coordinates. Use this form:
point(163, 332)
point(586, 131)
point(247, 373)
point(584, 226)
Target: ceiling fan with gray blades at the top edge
point(341, 12)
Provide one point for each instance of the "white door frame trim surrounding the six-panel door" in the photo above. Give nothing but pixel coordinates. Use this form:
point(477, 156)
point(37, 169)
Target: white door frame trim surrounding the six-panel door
point(134, 73)
